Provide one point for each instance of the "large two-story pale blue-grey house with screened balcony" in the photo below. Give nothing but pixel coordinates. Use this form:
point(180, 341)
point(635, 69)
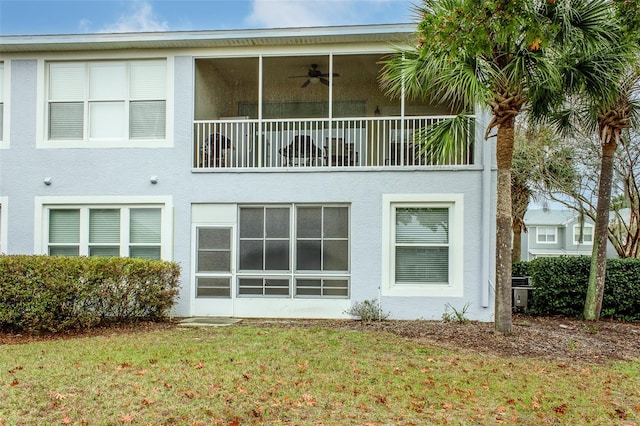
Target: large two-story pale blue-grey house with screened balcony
point(267, 163)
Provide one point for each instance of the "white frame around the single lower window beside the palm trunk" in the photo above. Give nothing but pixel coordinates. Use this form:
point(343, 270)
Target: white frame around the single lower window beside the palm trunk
point(455, 205)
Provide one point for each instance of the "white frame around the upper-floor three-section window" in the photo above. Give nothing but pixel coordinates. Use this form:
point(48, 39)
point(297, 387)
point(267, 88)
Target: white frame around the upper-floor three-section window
point(126, 141)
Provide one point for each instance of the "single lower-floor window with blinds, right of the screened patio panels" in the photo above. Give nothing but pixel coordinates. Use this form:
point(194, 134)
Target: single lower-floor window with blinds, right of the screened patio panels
point(421, 245)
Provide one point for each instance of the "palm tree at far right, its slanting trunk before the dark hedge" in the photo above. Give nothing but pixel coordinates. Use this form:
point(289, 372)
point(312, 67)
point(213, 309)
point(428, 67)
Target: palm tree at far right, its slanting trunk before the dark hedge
point(601, 90)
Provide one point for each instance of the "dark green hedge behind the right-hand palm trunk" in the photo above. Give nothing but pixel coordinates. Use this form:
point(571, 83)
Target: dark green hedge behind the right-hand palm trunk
point(560, 287)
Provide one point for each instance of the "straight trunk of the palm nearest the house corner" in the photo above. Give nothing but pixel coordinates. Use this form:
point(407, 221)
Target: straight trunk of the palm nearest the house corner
point(504, 159)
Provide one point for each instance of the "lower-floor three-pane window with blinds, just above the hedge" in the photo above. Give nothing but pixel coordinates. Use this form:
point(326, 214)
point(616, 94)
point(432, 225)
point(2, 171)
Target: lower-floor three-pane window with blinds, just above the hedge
point(105, 231)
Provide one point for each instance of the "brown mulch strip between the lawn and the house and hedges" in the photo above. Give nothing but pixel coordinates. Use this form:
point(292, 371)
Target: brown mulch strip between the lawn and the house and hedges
point(554, 338)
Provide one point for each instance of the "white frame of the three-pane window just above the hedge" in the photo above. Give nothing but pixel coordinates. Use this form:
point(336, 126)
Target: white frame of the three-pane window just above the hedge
point(43, 205)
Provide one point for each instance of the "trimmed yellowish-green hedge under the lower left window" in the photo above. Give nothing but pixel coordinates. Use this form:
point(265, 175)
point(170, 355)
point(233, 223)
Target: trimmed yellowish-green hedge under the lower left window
point(50, 294)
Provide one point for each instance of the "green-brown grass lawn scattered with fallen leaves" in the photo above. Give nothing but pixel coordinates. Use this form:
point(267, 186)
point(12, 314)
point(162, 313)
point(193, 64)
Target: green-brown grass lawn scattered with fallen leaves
point(244, 375)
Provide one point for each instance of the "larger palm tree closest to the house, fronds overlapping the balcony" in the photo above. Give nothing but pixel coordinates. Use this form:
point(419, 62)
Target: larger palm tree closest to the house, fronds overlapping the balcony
point(499, 55)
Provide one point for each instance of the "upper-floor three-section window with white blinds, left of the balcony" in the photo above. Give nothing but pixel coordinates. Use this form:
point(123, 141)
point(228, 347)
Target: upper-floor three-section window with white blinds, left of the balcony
point(106, 100)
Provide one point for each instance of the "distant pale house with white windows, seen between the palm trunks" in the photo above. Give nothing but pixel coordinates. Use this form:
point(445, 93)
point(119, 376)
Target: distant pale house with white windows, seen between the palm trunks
point(556, 233)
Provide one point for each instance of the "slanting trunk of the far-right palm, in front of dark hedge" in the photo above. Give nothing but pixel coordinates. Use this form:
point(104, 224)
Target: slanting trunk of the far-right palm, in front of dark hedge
point(595, 289)
